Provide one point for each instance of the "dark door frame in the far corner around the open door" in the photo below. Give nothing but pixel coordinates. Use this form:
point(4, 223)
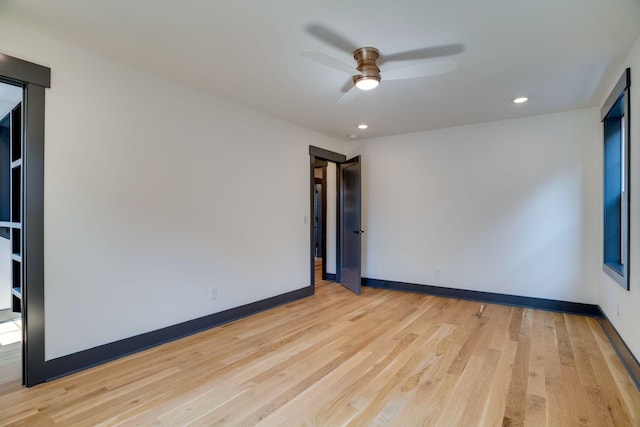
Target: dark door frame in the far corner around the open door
point(316, 153)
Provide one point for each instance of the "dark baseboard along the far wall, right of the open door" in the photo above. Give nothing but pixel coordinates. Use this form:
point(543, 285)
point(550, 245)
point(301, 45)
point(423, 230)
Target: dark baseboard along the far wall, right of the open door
point(515, 300)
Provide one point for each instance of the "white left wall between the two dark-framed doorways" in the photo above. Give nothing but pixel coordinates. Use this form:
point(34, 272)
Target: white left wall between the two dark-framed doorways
point(155, 192)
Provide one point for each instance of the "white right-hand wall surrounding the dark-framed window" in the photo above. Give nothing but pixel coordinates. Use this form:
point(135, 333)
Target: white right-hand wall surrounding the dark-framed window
point(613, 295)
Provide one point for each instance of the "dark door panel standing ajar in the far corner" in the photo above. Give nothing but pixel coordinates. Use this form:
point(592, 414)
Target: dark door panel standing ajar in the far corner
point(351, 232)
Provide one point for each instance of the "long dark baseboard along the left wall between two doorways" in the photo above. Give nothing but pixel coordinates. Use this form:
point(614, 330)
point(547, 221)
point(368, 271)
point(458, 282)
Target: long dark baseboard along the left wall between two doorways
point(75, 362)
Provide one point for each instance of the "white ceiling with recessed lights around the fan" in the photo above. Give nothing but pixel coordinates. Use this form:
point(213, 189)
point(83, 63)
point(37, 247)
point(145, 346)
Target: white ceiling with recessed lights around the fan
point(562, 54)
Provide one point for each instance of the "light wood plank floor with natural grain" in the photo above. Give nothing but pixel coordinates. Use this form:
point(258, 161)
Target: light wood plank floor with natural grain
point(382, 358)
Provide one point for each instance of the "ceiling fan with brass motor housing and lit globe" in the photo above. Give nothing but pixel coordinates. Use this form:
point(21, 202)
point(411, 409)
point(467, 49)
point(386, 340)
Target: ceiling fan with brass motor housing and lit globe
point(367, 75)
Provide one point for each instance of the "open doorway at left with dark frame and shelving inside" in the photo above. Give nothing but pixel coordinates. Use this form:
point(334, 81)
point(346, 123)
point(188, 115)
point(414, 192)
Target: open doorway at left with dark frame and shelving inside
point(27, 233)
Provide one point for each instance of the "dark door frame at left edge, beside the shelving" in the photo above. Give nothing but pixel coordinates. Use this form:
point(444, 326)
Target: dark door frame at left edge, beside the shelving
point(34, 79)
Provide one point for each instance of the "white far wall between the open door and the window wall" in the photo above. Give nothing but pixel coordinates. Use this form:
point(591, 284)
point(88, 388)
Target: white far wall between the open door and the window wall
point(511, 207)
